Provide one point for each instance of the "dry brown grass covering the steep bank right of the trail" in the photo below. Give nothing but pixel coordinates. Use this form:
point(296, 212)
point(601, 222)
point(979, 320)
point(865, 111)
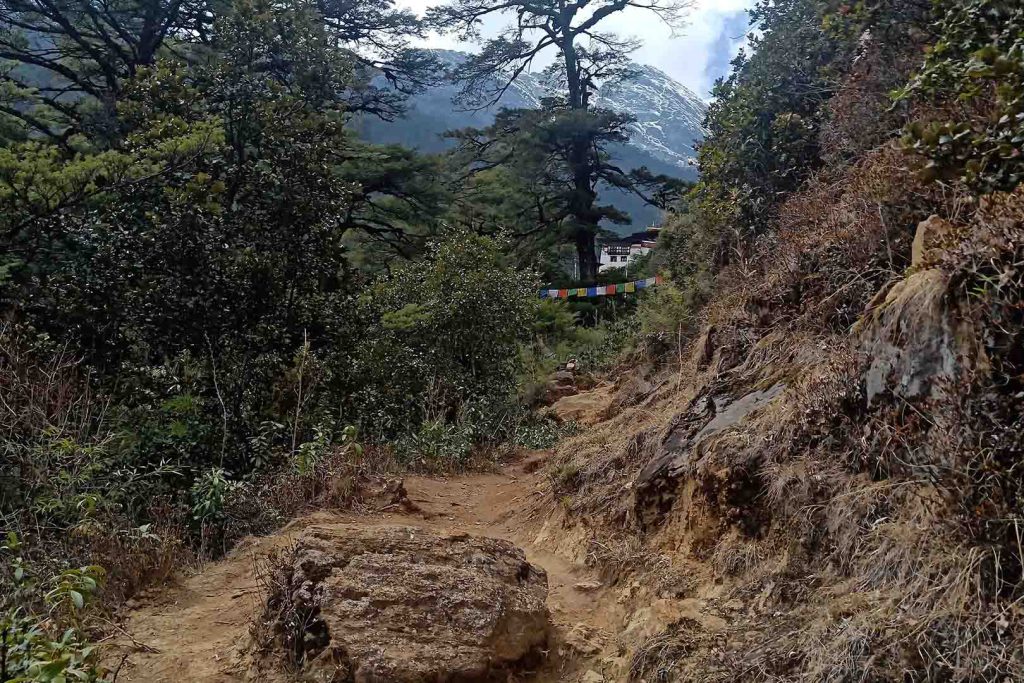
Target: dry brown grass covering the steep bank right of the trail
point(880, 542)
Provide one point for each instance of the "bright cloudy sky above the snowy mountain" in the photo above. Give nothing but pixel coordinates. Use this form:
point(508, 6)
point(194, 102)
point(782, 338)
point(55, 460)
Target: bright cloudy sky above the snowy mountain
point(698, 56)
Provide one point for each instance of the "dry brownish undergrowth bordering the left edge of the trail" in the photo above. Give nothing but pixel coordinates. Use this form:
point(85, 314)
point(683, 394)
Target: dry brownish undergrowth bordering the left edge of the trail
point(74, 497)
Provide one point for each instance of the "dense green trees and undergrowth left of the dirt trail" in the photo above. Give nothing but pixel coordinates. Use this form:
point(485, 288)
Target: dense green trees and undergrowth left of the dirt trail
point(219, 303)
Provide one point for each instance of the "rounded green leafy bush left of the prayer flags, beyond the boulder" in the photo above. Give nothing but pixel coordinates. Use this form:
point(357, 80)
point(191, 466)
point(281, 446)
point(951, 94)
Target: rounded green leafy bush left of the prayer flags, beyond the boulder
point(443, 341)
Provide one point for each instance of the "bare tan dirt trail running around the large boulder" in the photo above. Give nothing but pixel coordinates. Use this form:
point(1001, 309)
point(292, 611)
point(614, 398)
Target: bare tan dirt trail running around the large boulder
point(198, 631)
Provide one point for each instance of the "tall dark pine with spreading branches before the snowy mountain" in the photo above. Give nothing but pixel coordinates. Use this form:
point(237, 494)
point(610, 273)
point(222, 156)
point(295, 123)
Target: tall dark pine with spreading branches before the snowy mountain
point(588, 58)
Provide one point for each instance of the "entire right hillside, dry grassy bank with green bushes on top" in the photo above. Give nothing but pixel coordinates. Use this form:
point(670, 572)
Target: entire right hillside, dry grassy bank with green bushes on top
point(834, 468)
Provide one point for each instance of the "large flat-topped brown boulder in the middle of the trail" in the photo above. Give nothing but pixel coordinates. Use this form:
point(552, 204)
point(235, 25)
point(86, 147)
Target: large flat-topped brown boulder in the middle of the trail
point(396, 605)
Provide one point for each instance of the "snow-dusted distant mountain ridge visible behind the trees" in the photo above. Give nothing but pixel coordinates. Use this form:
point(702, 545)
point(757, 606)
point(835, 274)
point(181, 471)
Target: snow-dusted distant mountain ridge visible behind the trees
point(669, 124)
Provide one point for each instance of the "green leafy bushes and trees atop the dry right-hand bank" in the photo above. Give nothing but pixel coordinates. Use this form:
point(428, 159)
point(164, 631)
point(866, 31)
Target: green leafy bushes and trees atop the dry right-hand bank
point(825, 83)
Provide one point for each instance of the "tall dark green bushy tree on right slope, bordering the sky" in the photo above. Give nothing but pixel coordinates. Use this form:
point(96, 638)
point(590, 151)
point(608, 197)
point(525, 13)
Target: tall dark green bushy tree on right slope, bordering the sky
point(763, 124)
